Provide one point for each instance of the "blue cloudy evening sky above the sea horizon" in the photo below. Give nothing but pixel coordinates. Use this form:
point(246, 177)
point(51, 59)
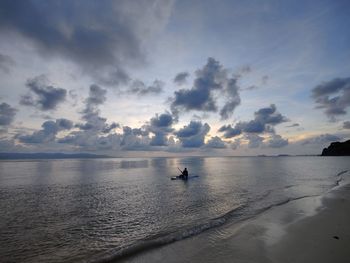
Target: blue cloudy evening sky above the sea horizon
point(170, 78)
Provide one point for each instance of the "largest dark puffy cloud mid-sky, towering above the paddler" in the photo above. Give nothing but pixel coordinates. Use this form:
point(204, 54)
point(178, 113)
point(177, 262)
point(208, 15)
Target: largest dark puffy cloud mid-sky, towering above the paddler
point(210, 79)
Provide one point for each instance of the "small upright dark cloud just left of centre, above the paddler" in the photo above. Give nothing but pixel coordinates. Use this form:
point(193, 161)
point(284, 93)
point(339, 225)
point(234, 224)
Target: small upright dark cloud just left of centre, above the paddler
point(160, 126)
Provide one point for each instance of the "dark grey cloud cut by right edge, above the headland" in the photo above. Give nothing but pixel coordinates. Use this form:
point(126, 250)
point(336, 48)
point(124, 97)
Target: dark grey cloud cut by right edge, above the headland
point(333, 96)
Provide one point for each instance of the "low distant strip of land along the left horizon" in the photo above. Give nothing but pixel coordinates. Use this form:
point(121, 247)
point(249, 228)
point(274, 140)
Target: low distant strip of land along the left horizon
point(17, 156)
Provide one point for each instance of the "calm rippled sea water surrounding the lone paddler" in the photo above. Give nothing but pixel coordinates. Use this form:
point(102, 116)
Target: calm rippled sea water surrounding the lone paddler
point(92, 210)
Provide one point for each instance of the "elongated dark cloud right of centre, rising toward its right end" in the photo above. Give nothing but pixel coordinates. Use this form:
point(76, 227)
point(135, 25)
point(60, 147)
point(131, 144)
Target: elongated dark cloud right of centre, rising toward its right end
point(264, 120)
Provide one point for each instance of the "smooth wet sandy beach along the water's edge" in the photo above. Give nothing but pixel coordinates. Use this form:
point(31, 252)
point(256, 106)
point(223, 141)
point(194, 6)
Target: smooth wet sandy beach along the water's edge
point(312, 229)
